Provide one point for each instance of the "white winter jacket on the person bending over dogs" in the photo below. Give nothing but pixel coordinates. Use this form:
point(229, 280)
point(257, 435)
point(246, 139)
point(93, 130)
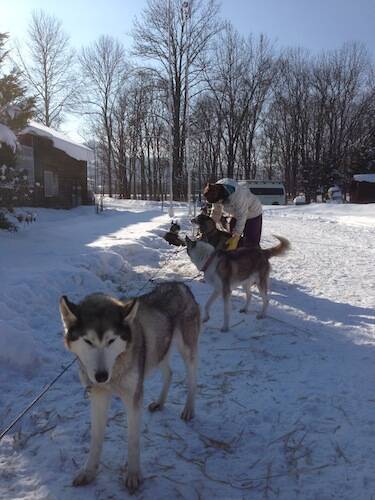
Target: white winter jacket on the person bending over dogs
point(241, 204)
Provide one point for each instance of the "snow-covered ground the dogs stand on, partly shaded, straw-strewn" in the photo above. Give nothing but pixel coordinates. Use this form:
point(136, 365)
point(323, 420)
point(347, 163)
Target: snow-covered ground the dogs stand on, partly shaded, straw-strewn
point(285, 406)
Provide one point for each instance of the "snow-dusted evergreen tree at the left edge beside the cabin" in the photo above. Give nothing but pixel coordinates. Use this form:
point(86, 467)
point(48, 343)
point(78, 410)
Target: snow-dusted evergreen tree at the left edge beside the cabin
point(15, 109)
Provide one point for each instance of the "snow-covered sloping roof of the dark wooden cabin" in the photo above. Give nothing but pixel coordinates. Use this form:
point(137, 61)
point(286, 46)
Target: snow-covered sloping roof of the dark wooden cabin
point(60, 141)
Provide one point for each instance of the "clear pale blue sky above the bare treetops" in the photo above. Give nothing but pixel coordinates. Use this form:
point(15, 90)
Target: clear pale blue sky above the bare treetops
point(313, 24)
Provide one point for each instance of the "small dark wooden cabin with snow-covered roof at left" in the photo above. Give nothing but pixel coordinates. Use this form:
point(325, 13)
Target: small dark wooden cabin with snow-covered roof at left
point(56, 165)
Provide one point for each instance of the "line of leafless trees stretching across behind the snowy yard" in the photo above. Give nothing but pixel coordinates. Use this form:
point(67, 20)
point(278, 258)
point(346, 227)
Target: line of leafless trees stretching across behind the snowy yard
point(254, 111)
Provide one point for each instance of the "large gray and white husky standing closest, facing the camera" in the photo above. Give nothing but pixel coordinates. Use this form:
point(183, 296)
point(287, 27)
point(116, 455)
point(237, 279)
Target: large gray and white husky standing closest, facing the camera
point(117, 344)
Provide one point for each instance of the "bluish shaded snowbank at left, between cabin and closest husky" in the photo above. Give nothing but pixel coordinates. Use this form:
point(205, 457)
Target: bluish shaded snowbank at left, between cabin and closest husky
point(65, 252)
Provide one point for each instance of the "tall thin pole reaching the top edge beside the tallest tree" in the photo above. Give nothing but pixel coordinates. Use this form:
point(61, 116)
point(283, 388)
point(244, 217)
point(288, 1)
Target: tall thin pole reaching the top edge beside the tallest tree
point(186, 14)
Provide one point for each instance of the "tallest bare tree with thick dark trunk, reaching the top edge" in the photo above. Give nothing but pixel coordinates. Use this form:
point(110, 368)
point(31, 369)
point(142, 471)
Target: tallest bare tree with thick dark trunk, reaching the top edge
point(167, 41)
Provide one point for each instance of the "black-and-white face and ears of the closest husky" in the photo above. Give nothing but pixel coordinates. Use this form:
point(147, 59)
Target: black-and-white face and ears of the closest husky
point(97, 330)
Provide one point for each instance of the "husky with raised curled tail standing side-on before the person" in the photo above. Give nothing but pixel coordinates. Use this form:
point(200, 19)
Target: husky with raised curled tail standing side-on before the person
point(225, 270)
